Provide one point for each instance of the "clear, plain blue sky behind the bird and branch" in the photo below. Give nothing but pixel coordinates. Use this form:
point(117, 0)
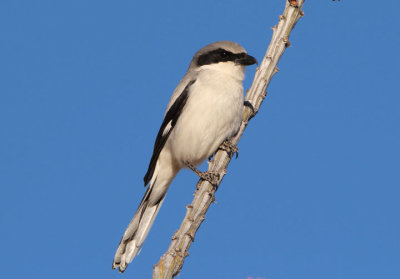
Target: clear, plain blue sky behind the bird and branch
point(314, 193)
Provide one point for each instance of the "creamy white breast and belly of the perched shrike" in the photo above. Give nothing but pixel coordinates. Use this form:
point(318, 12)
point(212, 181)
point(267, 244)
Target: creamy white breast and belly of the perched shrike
point(212, 114)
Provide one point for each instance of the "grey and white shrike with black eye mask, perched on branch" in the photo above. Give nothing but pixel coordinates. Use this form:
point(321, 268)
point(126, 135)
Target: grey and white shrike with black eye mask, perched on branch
point(204, 111)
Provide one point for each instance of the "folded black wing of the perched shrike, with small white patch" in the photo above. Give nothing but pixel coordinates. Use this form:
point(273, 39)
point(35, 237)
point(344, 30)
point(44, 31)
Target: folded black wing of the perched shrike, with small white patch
point(170, 118)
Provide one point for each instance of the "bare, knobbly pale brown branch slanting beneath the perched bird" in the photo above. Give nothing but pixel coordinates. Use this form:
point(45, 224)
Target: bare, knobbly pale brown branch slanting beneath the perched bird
point(171, 262)
